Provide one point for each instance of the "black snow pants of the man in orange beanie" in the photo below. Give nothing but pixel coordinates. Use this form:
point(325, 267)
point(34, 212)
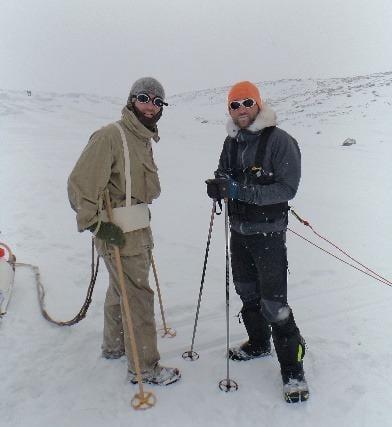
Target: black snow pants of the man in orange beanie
point(259, 267)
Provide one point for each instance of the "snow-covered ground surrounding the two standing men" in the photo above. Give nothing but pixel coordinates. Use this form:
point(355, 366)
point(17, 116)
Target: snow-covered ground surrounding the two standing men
point(52, 376)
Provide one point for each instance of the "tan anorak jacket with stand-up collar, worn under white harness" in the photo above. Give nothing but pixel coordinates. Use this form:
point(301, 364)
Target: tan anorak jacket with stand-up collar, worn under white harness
point(101, 166)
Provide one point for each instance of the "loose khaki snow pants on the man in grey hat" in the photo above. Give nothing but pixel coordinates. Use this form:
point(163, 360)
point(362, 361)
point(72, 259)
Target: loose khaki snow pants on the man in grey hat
point(141, 303)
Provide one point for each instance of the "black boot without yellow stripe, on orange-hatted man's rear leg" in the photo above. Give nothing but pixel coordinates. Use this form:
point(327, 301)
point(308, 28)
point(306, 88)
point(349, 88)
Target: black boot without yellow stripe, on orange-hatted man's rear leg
point(259, 333)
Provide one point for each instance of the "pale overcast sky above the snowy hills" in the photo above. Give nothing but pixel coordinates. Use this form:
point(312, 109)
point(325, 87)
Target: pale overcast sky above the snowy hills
point(102, 46)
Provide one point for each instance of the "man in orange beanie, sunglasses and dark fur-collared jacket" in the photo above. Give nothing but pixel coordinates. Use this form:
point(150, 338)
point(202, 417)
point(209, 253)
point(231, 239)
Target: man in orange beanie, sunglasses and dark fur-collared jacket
point(259, 172)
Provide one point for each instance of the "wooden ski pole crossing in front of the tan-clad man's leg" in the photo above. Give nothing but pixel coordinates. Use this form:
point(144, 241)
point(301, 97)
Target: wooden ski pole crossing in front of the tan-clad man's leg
point(141, 400)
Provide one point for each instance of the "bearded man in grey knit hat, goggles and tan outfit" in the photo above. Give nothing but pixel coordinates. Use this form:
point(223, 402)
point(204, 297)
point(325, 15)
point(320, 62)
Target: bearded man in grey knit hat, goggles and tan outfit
point(111, 151)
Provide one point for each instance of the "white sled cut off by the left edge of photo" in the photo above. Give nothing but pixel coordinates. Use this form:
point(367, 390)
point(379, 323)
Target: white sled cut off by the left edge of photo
point(7, 273)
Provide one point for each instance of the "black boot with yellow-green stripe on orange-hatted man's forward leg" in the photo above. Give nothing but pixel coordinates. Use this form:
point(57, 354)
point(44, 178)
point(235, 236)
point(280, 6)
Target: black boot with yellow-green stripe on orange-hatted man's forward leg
point(290, 349)
